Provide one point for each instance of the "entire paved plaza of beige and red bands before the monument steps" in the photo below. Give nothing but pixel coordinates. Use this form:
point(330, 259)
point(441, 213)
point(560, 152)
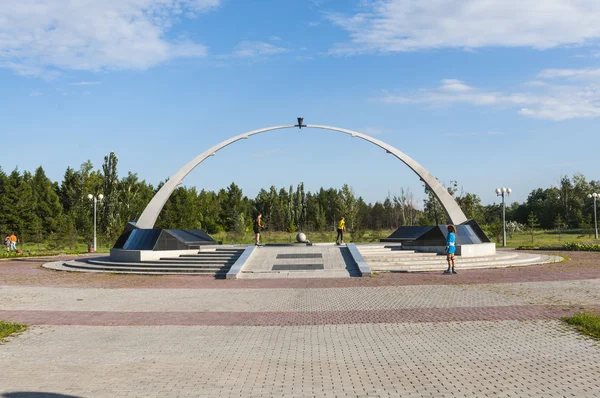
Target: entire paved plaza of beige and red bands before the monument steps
point(489, 332)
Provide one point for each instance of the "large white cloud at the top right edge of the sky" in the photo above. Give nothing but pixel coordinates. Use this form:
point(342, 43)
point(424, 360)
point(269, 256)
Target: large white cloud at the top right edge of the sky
point(411, 25)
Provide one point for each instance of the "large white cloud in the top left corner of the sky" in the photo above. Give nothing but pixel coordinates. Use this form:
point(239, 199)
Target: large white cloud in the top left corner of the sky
point(39, 37)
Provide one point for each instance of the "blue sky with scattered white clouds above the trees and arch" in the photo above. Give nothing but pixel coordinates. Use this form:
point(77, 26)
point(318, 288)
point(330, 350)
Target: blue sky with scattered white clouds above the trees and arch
point(488, 93)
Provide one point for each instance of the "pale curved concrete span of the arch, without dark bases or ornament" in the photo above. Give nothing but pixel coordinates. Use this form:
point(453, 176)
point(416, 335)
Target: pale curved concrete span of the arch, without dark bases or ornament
point(151, 212)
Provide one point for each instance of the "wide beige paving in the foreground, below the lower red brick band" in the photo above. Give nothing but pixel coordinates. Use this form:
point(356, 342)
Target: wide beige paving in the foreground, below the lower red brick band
point(452, 359)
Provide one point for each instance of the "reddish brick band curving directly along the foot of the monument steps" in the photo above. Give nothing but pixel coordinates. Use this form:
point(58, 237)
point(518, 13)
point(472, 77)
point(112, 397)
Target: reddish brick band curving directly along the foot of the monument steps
point(28, 272)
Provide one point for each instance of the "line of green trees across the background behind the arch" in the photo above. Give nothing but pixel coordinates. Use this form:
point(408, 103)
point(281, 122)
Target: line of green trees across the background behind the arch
point(60, 214)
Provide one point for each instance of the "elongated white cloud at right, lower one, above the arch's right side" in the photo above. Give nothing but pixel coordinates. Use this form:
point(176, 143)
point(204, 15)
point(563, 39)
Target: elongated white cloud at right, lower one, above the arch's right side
point(566, 94)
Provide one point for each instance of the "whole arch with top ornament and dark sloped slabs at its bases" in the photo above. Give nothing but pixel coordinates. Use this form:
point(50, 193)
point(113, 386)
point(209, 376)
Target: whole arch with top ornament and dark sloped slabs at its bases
point(142, 235)
